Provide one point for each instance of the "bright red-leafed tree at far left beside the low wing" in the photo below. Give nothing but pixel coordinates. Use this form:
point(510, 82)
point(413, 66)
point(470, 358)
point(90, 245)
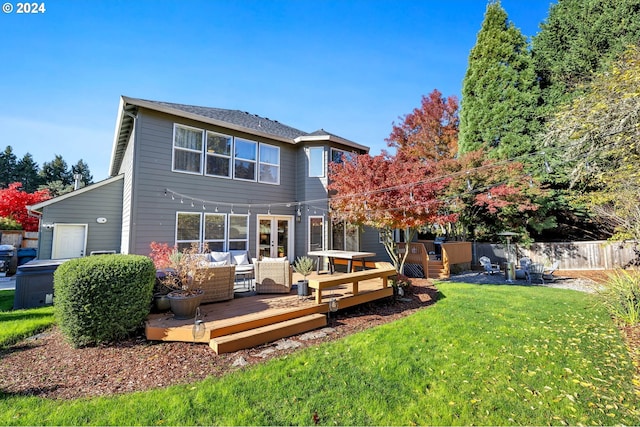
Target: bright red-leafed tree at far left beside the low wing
point(14, 202)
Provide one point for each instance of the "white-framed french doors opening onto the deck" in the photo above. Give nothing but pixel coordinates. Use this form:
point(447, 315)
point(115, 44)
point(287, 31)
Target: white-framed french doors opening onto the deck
point(275, 236)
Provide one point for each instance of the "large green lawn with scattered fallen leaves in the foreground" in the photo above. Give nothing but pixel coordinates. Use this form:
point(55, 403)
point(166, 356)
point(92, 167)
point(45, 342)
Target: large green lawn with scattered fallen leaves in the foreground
point(484, 355)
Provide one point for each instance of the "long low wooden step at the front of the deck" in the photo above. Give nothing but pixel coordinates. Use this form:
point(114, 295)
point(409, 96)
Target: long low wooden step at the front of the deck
point(265, 334)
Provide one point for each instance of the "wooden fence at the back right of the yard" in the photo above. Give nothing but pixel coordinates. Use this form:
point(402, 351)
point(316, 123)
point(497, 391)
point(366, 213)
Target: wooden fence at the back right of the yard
point(595, 255)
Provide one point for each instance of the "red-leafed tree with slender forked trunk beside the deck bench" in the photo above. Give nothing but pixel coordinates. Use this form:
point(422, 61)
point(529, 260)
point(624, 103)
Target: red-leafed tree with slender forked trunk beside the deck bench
point(388, 192)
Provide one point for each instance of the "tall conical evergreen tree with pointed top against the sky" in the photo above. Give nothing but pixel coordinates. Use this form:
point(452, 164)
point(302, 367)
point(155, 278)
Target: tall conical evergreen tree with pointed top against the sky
point(500, 92)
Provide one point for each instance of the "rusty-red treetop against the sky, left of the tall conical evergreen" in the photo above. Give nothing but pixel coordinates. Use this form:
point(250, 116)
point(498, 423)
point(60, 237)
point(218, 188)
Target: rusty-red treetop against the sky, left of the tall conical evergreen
point(429, 132)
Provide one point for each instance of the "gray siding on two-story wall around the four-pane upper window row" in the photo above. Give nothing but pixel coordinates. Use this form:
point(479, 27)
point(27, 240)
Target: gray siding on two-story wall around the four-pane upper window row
point(154, 214)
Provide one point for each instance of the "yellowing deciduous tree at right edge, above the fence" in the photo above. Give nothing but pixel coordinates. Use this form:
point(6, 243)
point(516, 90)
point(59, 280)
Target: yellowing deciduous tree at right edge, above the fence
point(597, 137)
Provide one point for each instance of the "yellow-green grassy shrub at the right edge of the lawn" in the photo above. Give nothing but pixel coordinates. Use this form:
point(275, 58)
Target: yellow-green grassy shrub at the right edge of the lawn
point(621, 296)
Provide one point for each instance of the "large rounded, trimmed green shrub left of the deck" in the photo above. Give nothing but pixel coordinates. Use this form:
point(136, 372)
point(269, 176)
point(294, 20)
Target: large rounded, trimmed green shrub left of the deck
point(102, 298)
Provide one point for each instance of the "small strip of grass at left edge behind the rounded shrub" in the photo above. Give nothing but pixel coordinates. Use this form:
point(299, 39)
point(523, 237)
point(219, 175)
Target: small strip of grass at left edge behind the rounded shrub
point(20, 324)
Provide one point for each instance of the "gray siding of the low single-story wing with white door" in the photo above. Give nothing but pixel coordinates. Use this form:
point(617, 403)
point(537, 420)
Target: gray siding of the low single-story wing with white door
point(104, 201)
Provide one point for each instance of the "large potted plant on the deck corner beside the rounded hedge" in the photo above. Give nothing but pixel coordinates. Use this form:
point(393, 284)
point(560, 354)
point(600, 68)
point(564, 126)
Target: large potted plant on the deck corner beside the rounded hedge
point(185, 296)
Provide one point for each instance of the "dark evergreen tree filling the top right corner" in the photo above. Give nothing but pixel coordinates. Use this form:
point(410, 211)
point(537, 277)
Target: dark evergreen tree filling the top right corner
point(579, 38)
